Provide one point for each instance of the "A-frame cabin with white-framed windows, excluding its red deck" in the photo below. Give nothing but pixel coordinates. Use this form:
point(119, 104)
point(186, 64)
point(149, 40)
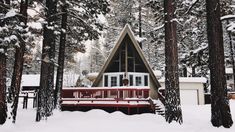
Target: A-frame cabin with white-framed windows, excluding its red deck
point(127, 62)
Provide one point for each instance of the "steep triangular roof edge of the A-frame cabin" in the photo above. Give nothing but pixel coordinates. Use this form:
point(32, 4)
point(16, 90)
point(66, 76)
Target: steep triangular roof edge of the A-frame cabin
point(126, 31)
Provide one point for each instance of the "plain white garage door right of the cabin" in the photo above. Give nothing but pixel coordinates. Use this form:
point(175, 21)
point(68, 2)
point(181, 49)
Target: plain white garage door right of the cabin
point(189, 97)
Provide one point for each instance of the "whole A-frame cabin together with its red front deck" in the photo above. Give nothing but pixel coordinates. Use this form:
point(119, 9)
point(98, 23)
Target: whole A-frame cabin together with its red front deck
point(125, 82)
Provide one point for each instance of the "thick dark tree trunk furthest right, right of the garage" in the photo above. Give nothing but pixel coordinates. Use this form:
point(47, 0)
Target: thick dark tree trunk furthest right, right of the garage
point(220, 109)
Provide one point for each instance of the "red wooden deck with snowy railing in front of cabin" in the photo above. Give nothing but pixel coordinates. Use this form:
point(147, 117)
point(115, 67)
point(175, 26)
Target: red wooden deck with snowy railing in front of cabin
point(127, 99)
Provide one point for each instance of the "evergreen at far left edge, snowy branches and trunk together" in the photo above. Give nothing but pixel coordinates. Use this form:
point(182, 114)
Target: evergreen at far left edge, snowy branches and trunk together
point(8, 39)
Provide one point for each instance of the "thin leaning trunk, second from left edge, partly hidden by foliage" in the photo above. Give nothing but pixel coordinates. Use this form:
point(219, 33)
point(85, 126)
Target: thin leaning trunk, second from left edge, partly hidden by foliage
point(19, 60)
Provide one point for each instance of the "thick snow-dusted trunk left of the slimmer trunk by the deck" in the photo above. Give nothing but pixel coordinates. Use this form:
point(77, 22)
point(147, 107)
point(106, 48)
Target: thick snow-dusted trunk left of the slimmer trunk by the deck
point(46, 92)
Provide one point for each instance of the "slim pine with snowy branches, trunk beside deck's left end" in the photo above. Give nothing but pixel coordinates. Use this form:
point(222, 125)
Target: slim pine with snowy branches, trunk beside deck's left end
point(82, 24)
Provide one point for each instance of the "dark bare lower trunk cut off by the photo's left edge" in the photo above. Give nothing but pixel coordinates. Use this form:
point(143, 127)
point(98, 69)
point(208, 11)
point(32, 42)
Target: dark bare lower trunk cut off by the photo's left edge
point(3, 104)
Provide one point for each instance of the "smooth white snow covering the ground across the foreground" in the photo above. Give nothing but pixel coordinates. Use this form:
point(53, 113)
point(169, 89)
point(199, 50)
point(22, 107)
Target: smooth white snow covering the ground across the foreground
point(196, 119)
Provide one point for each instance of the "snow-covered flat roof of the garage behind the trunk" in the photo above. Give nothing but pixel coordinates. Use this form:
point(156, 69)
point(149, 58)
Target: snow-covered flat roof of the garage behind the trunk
point(188, 79)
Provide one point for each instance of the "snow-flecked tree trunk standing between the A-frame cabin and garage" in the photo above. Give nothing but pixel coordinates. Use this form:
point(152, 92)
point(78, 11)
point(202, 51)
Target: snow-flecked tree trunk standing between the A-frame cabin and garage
point(172, 99)
